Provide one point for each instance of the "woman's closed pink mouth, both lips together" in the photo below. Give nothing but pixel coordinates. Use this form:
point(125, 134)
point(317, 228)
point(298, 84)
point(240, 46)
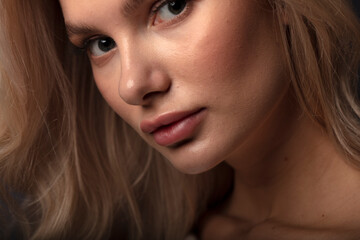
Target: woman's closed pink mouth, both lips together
point(171, 128)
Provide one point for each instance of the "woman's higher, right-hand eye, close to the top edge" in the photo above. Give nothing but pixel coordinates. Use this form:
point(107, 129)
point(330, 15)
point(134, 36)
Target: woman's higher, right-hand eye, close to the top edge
point(169, 10)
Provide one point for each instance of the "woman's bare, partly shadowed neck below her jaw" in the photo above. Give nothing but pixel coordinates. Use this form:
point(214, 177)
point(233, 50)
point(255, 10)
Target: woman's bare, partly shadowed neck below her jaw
point(293, 174)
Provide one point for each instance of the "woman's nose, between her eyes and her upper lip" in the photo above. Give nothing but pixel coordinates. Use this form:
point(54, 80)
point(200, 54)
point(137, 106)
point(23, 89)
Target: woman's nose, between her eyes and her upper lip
point(141, 77)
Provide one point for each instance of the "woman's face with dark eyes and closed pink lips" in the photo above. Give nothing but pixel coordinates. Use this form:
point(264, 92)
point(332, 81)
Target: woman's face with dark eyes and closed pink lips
point(194, 78)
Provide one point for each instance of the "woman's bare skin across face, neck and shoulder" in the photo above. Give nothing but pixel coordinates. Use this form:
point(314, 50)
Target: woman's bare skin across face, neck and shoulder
point(223, 62)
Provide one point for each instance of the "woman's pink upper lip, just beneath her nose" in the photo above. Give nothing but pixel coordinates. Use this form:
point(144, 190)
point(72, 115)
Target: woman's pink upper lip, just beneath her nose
point(151, 125)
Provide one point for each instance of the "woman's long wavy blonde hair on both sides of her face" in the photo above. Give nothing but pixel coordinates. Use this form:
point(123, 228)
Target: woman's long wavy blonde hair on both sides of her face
point(83, 170)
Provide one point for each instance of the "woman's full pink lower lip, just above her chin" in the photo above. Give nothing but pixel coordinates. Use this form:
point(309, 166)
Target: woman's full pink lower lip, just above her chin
point(178, 131)
